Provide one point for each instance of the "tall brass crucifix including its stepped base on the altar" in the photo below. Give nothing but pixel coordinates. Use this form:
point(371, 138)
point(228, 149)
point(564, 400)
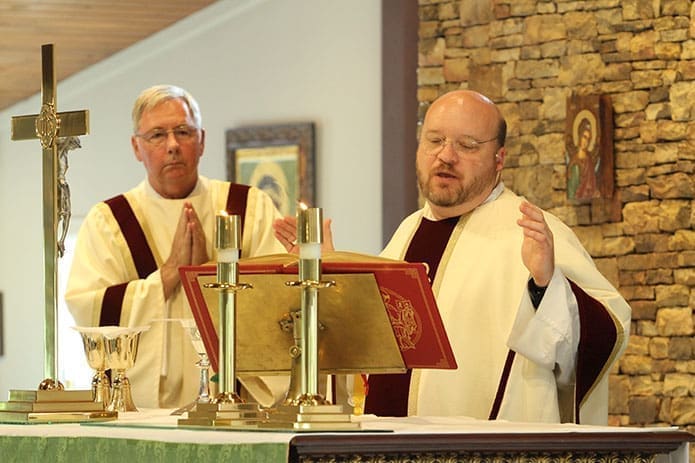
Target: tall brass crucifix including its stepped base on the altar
point(57, 133)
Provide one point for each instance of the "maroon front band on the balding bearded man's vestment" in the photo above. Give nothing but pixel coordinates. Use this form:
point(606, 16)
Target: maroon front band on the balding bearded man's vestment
point(388, 393)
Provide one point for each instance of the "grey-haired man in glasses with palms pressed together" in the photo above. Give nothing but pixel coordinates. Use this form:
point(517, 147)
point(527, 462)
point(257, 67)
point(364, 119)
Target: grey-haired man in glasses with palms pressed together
point(129, 248)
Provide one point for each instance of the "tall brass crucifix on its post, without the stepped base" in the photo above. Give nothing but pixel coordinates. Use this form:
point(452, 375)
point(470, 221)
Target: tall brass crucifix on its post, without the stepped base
point(57, 133)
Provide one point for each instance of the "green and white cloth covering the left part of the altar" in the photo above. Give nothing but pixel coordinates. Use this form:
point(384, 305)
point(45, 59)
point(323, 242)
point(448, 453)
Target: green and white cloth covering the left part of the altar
point(150, 436)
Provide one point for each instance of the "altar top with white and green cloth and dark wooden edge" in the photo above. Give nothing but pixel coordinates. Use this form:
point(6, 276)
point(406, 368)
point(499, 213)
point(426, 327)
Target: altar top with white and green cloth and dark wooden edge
point(153, 436)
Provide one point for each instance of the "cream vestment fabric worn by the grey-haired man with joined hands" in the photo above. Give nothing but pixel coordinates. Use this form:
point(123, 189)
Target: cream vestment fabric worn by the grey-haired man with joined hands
point(165, 374)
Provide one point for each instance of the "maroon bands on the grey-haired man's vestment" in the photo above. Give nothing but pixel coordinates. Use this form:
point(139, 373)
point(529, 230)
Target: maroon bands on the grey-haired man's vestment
point(140, 250)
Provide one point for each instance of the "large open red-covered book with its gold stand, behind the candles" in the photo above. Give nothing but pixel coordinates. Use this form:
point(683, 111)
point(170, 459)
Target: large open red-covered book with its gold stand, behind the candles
point(379, 317)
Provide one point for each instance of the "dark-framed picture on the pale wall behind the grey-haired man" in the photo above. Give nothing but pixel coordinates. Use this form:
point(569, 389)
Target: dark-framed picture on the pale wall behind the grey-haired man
point(278, 159)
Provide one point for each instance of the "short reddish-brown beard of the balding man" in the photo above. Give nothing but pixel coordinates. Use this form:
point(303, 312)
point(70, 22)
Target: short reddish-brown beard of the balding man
point(453, 194)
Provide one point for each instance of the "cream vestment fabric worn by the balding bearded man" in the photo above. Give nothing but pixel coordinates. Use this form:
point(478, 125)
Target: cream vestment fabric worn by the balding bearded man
point(481, 291)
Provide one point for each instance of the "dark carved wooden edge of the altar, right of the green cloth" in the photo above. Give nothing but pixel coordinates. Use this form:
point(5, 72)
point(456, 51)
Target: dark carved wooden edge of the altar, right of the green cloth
point(497, 447)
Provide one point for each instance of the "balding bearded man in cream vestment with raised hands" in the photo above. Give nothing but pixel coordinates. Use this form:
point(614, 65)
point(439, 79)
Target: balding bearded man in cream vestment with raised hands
point(534, 326)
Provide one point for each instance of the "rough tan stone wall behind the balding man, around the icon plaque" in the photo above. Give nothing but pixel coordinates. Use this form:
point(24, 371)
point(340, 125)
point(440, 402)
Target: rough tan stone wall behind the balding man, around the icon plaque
point(529, 56)
